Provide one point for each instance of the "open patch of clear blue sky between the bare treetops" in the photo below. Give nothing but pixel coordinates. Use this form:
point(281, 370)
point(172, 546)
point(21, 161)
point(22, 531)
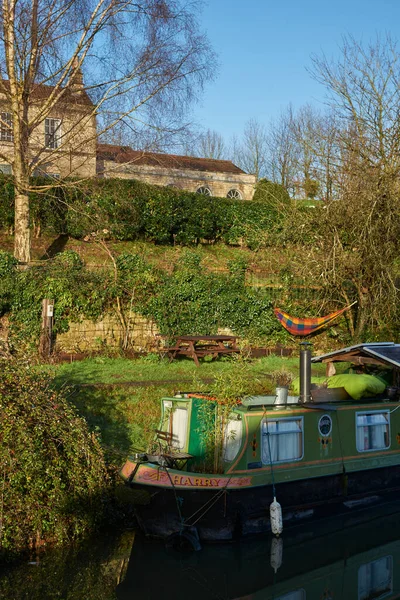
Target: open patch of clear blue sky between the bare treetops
point(264, 49)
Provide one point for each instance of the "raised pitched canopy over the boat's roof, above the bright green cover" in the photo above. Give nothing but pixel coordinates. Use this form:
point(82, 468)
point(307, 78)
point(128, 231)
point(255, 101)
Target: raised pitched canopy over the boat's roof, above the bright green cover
point(377, 353)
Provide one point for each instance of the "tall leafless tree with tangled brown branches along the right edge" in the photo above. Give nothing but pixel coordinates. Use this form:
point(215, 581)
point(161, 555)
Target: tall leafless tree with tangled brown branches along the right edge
point(359, 234)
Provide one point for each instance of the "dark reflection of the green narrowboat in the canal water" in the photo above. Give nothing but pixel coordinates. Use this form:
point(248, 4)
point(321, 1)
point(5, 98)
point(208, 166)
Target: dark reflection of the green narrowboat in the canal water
point(345, 558)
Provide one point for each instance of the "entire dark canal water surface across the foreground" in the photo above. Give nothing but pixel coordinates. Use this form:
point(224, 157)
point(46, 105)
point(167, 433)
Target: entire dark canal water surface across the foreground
point(352, 556)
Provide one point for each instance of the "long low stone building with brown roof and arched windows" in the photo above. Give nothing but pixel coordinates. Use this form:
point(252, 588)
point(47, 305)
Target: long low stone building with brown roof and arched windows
point(202, 175)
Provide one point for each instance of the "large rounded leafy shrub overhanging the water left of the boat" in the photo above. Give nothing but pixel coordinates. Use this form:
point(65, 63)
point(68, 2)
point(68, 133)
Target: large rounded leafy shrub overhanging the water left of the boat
point(53, 471)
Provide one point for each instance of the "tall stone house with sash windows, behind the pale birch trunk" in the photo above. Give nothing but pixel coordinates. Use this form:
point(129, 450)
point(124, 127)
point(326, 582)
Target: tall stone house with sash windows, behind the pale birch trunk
point(65, 141)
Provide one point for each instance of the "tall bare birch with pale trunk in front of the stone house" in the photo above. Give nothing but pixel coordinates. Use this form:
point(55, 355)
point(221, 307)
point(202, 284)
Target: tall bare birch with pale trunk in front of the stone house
point(142, 60)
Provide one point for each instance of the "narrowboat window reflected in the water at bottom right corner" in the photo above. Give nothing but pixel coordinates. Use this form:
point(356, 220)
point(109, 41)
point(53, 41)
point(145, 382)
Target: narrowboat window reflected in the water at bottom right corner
point(375, 579)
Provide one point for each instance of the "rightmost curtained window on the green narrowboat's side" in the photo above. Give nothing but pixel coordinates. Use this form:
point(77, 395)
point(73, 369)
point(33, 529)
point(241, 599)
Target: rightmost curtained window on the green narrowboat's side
point(372, 431)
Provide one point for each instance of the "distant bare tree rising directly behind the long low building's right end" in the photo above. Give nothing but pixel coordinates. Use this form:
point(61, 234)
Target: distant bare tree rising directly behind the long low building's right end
point(250, 153)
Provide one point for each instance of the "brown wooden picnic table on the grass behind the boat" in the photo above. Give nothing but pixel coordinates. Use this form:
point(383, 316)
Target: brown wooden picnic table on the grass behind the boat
point(198, 346)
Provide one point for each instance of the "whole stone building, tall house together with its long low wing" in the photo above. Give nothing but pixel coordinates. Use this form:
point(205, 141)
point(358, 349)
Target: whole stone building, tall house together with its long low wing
point(66, 144)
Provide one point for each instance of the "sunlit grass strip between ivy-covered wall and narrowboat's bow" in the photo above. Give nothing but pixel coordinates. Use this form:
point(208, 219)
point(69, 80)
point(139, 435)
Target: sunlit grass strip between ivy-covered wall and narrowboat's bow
point(120, 398)
